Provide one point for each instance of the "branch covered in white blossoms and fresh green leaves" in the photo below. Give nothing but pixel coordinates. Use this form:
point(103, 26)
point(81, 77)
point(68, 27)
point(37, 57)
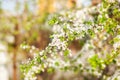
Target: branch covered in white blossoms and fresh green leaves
point(99, 30)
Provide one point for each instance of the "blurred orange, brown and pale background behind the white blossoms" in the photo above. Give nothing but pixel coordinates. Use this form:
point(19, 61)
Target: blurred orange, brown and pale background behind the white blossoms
point(25, 21)
